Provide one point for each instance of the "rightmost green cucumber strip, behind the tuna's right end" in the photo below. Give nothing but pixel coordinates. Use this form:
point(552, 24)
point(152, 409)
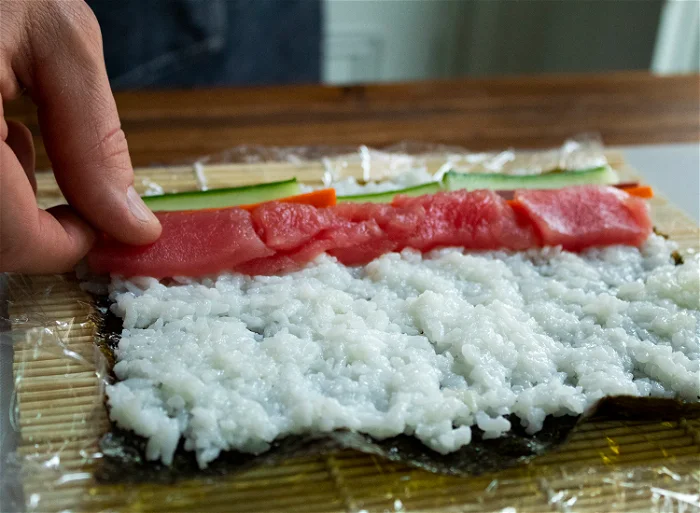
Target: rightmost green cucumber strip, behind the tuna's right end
point(603, 175)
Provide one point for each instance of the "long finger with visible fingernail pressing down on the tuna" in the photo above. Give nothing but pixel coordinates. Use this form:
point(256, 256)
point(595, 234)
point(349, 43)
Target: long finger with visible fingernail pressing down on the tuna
point(80, 124)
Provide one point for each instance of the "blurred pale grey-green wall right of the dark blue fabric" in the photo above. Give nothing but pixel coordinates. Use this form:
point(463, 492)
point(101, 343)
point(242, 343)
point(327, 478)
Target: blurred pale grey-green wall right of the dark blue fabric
point(394, 40)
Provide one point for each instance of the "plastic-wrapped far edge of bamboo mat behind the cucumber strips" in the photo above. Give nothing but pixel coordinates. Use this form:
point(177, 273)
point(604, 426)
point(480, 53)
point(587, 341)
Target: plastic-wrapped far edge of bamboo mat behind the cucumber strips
point(402, 165)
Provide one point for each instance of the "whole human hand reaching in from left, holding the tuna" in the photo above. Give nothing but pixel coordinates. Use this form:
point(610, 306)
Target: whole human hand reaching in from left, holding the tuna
point(53, 48)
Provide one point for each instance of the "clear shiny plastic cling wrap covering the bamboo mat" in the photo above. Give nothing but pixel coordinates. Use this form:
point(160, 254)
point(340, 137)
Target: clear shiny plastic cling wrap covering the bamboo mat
point(51, 461)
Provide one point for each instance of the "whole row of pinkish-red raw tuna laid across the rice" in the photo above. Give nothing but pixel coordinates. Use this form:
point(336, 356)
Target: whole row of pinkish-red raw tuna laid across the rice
point(281, 237)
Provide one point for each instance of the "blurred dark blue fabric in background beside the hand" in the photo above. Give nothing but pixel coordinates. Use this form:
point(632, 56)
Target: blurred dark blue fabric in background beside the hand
point(205, 43)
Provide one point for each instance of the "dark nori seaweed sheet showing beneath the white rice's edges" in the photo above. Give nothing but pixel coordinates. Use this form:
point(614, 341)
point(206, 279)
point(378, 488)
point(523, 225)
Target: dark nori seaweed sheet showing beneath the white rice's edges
point(124, 458)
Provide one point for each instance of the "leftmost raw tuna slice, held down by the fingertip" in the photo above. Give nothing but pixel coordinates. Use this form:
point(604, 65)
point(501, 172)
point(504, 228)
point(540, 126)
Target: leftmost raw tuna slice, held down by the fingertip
point(193, 244)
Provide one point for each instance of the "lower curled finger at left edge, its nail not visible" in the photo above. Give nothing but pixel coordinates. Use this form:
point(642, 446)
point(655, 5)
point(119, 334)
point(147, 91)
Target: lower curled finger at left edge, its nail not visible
point(33, 240)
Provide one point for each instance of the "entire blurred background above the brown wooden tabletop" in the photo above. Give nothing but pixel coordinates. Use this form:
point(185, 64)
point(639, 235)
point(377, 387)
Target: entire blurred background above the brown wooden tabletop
point(205, 43)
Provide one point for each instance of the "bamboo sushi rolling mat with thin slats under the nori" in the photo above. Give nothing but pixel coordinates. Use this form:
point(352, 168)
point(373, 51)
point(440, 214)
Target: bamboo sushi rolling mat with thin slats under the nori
point(610, 465)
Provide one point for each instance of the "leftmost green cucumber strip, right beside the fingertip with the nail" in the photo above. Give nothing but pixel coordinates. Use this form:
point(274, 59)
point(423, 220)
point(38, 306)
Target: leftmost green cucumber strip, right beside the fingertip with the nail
point(221, 198)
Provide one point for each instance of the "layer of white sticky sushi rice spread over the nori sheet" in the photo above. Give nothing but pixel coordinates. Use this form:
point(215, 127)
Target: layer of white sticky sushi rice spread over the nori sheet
point(433, 346)
